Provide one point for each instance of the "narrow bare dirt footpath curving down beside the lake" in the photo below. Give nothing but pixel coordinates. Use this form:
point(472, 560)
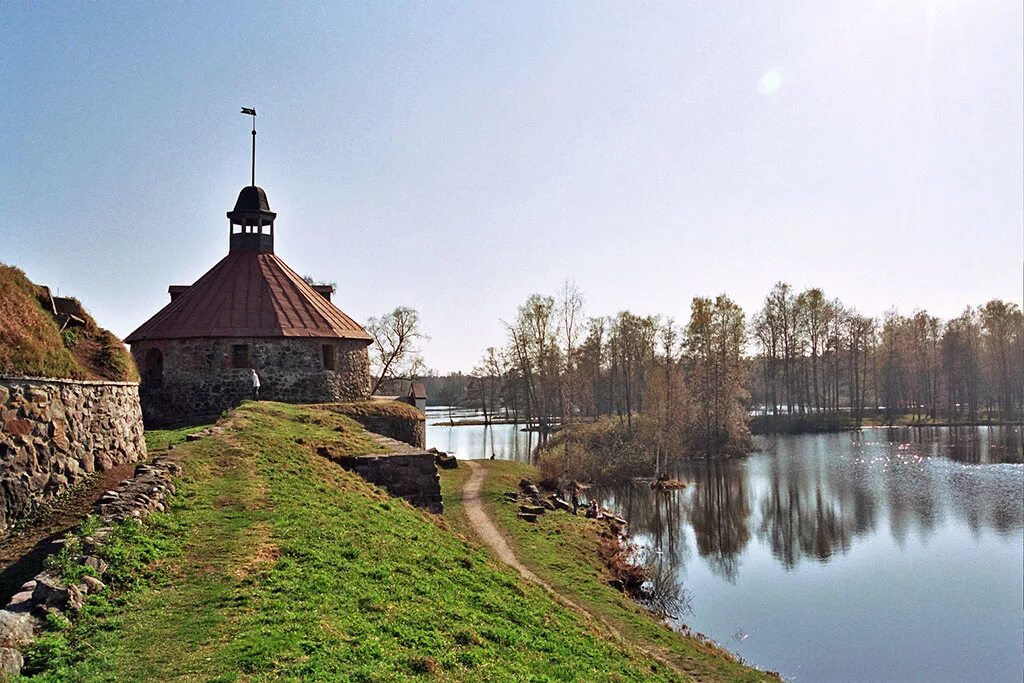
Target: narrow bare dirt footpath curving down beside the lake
point(490, 535)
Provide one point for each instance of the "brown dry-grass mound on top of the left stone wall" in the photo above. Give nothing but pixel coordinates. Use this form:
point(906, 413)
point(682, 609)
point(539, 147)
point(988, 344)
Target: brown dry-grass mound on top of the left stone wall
point(32, 344)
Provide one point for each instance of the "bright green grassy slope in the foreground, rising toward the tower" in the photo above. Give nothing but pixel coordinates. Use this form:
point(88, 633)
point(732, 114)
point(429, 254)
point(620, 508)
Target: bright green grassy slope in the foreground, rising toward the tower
point(274, 564)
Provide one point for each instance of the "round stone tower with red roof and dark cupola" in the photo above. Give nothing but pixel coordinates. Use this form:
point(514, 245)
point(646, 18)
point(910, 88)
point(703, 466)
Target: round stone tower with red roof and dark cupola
point(249, 312)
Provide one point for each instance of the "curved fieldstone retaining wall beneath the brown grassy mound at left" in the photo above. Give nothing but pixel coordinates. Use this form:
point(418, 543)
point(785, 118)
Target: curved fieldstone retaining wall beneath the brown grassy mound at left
point(54, 434)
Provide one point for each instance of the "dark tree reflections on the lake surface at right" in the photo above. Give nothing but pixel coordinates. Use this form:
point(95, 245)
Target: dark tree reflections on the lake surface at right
point(812, 497)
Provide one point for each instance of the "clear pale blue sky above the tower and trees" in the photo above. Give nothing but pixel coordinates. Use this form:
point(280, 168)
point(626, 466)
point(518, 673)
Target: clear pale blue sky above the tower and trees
point(457, 157)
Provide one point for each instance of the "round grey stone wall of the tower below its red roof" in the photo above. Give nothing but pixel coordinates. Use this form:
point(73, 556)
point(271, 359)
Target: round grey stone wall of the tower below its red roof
point(198, 380)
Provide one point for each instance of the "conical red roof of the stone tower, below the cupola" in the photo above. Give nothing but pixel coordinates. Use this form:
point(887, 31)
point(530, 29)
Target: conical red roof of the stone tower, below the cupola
point(249, 294)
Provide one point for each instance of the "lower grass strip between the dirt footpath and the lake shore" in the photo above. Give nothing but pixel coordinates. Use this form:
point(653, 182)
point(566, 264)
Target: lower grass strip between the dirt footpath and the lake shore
point(565, 551)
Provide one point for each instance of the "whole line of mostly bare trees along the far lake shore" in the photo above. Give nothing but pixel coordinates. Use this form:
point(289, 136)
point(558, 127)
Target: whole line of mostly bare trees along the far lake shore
point(695, 387)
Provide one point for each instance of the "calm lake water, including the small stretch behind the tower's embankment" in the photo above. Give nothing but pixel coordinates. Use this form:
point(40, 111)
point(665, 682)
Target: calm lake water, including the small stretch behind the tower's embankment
point(879, 556)
